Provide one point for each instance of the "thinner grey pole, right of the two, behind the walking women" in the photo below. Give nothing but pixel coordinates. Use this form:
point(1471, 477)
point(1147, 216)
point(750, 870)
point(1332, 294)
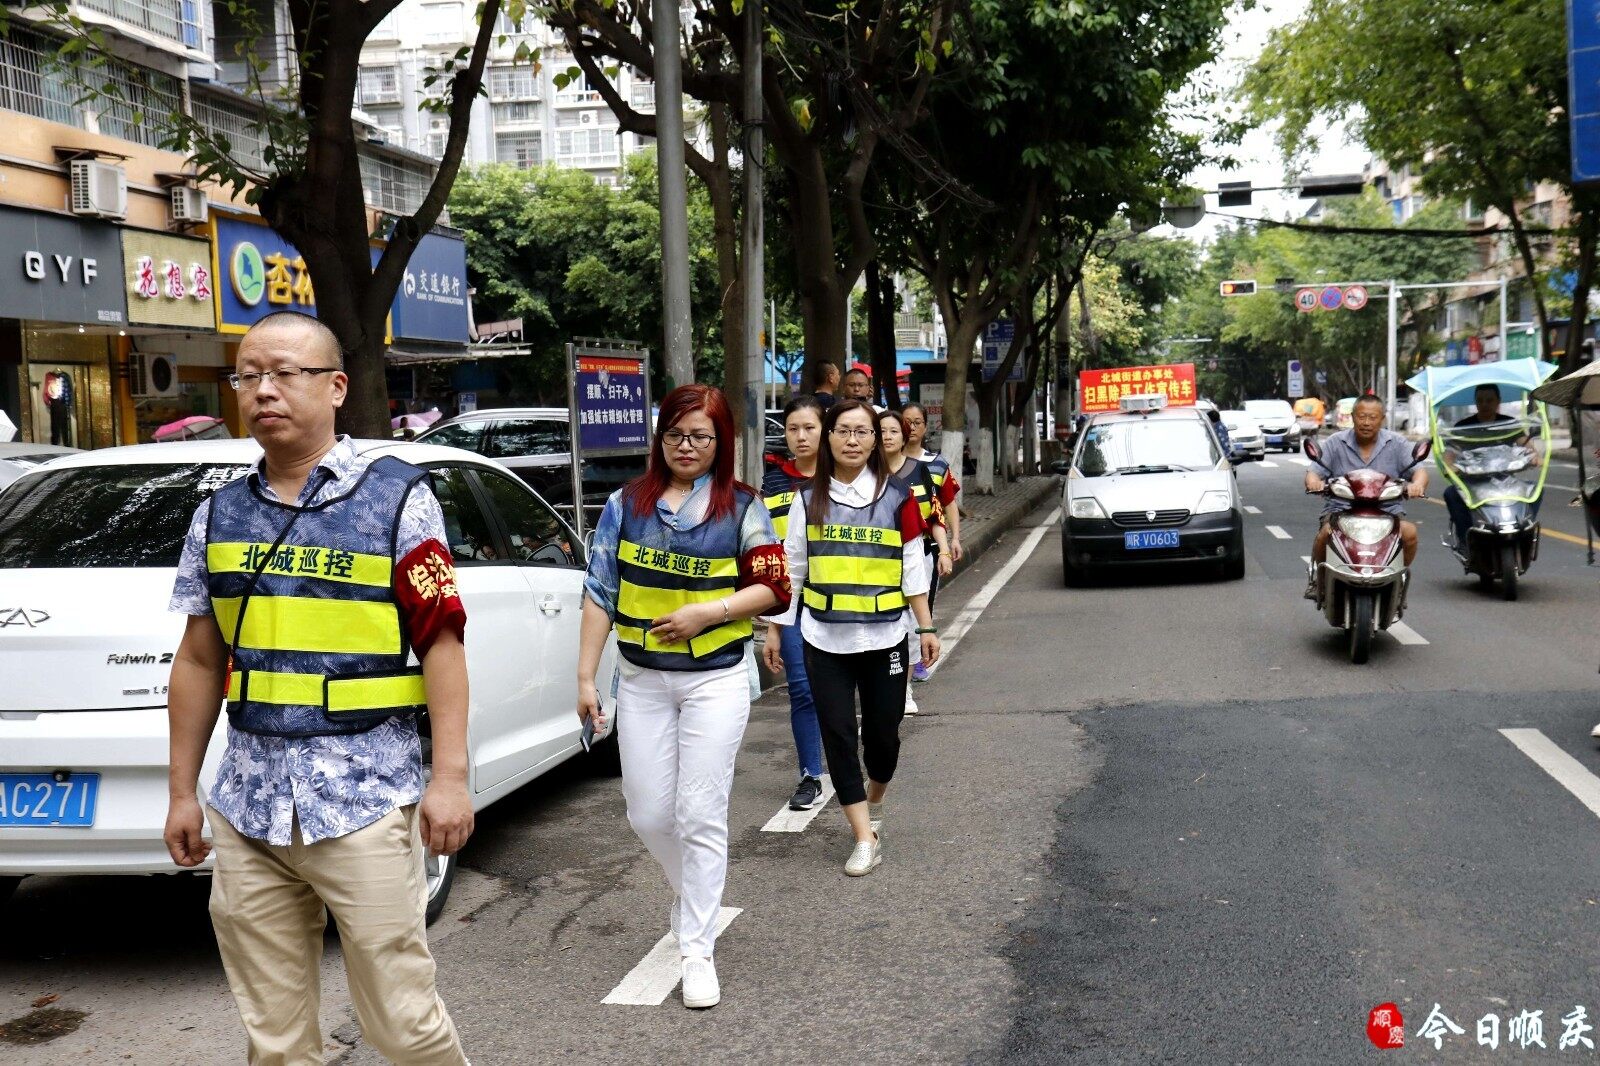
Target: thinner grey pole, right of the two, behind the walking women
point(754, 249)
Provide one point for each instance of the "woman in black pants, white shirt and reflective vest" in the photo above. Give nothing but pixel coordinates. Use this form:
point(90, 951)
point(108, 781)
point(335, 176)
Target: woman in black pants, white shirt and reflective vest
point(857, 563)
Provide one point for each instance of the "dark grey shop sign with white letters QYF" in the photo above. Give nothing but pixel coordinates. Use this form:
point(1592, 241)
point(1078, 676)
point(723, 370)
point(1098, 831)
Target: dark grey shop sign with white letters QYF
point(60, 270)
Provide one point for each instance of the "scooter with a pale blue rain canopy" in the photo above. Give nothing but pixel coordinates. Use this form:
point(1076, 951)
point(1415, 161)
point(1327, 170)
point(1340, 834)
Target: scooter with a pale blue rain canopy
point(1498, 468)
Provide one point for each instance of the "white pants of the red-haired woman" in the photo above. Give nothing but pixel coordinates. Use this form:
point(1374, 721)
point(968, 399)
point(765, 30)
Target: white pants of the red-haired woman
point(679, 734)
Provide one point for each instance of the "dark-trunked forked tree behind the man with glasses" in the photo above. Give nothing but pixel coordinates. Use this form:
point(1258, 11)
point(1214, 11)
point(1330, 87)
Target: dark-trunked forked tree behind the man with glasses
point(308, 185)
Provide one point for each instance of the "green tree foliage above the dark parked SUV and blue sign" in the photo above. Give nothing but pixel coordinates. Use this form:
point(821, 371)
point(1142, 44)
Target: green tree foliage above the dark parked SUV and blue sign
point(577, 258)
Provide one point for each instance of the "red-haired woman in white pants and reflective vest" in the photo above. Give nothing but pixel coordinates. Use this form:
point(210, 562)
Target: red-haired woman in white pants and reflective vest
point(682, 559)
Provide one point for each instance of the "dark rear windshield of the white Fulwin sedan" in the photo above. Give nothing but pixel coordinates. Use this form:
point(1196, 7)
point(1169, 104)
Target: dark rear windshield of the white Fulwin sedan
point(106, 516)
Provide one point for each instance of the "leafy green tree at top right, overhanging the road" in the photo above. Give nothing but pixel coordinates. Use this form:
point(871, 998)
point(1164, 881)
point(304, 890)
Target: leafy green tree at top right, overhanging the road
point(1470, 94)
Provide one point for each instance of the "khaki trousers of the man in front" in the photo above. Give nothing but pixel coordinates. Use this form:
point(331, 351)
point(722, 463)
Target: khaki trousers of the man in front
point(268, 912)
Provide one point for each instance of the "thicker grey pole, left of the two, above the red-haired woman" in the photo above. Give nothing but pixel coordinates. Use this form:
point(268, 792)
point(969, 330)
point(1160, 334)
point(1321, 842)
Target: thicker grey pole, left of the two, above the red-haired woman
point(674, 196)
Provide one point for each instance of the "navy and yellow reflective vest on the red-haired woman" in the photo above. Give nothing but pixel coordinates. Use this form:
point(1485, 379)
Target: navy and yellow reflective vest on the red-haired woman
point(662, 571)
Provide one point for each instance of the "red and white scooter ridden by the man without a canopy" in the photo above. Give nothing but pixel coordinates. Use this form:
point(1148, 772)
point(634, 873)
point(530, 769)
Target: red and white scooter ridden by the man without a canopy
point(1364, 582)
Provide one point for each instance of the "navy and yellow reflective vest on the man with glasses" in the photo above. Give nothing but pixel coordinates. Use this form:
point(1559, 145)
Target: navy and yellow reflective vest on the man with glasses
point(305, 598)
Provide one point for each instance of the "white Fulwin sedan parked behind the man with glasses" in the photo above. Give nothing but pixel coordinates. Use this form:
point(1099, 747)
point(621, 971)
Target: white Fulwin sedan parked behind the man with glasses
point(89, 553)
